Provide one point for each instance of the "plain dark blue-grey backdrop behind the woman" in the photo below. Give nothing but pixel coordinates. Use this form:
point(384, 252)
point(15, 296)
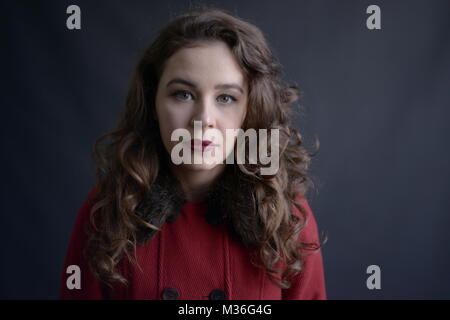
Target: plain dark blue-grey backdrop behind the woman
point(377, 100)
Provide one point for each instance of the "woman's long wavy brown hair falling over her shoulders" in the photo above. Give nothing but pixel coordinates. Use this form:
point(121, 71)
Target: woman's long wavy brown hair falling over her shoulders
point(128, 159)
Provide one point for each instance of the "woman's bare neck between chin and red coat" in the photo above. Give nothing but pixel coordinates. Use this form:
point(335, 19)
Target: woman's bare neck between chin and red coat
point(196, 183)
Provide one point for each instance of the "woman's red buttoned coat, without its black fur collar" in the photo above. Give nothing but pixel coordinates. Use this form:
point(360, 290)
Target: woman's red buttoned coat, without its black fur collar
point(191, 259)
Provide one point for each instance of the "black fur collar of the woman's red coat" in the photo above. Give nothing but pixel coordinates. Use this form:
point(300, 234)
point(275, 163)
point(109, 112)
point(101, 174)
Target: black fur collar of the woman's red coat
point(229, 201)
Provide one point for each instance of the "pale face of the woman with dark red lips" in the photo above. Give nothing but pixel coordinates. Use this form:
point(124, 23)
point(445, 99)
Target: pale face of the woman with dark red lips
point(203, 83)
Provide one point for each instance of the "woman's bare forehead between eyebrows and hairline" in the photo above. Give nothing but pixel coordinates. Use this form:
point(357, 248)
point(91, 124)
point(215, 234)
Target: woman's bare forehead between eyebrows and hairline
point(206, 64)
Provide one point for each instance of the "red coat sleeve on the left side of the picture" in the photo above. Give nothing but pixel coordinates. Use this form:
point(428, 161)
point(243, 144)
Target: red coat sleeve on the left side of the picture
point(90, 287)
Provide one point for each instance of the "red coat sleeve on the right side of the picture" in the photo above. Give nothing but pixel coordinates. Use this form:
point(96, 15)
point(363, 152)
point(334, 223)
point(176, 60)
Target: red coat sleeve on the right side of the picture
point(310, 283)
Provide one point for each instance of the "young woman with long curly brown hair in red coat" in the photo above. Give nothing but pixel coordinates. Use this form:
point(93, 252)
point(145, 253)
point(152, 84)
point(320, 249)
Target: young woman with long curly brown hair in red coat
point(152, 228)
